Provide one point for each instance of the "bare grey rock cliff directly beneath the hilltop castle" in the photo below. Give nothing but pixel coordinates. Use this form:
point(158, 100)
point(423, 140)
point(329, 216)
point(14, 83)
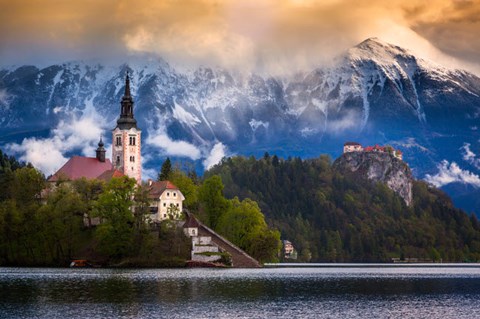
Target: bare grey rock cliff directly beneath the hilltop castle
point(379, 167)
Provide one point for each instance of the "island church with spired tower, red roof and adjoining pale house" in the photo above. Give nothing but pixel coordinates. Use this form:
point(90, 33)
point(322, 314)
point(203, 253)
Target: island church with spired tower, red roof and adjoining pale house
point(126, 161)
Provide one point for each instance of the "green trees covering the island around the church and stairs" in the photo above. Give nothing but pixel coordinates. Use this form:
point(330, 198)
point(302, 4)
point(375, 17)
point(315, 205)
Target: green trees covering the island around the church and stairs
point(48, 225)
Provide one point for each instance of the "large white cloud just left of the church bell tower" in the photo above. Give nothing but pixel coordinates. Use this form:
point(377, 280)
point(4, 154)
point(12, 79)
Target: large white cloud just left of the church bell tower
point(49, 154)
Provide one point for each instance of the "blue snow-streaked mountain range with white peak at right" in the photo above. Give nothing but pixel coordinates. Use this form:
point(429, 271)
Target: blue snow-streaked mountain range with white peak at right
point(374, 93)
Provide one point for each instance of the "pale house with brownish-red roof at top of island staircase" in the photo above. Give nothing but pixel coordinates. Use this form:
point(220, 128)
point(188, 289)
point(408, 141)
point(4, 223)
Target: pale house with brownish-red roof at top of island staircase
point(166, 200)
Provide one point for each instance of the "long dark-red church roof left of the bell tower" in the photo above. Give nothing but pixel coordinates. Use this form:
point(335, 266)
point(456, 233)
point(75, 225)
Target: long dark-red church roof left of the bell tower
point(80, 166)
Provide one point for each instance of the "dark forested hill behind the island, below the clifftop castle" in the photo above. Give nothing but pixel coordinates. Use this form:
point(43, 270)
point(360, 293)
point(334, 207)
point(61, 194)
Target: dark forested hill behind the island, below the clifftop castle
point(331, 214)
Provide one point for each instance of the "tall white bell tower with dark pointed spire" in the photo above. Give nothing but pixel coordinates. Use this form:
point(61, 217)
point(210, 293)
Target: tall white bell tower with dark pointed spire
point(126, 141)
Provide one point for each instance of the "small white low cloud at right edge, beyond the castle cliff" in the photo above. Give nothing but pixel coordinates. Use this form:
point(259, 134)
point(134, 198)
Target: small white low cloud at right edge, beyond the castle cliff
point(452, 173)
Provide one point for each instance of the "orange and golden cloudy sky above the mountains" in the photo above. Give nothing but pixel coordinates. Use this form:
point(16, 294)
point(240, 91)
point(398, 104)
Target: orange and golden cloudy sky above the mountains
point(262, 35)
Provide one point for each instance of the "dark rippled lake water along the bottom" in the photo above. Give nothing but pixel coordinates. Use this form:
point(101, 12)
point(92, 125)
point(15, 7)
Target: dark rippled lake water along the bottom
point(360, 292)
